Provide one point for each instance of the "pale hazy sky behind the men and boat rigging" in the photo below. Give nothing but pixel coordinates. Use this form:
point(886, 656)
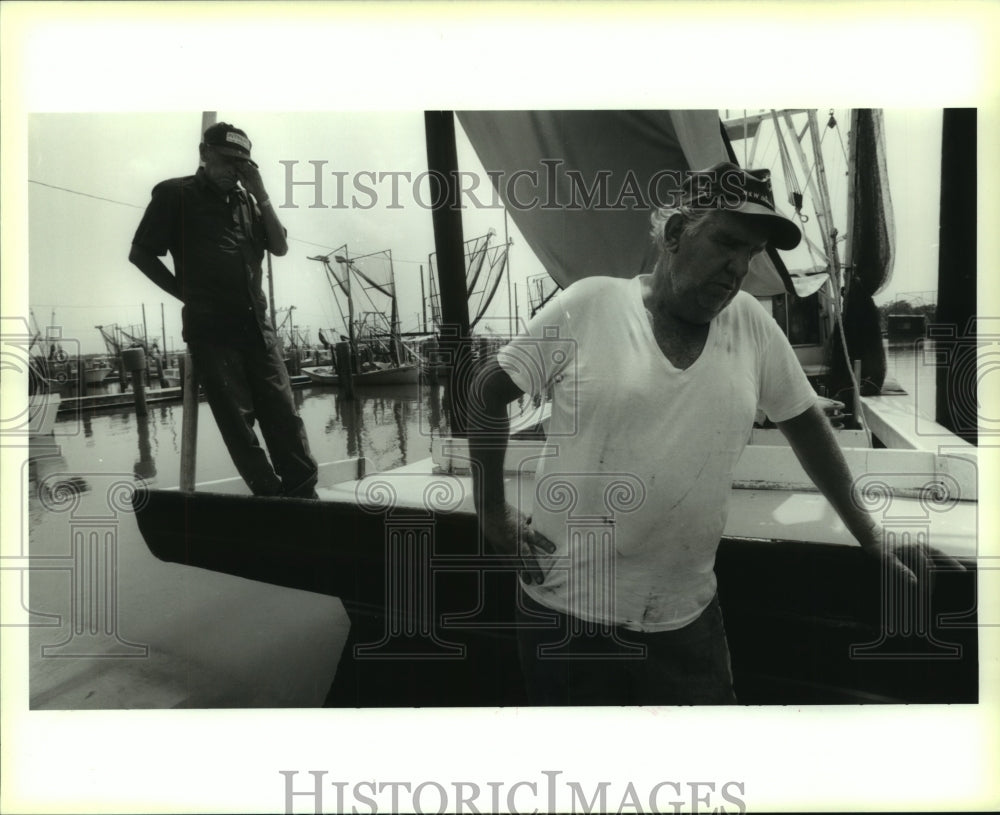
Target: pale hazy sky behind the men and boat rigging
point(90, 176)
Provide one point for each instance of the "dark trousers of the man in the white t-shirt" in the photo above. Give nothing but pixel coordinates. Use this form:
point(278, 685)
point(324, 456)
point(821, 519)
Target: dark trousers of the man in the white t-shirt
point(567, 661)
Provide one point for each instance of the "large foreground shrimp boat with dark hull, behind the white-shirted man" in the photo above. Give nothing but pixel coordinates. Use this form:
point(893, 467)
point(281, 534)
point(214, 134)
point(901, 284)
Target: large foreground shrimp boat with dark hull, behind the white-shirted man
point(431, 609)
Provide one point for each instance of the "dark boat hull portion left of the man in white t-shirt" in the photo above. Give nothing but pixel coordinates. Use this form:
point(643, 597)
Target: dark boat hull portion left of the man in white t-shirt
point(391, 658)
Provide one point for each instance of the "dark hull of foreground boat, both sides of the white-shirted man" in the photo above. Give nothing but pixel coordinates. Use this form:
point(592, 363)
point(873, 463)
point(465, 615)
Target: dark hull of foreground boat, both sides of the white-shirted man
point(804, 621)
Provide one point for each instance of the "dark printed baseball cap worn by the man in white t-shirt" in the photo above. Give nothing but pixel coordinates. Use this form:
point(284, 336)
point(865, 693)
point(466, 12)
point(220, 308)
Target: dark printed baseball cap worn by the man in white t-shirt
point(729, 187)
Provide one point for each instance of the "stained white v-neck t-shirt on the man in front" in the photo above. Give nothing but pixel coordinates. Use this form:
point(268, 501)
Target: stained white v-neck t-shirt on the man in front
point(634, 485)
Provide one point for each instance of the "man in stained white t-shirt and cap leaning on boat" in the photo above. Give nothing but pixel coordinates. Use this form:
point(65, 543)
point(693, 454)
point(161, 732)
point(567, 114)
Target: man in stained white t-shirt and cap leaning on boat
point(655, 383)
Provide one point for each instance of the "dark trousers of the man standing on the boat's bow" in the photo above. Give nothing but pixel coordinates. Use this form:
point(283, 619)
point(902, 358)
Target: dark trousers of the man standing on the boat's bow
point(248, 385)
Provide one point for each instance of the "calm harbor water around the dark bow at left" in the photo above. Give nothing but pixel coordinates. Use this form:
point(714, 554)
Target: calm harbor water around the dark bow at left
point(148, 634)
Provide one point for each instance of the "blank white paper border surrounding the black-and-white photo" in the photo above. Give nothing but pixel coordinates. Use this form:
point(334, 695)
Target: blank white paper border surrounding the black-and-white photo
point(127, 56)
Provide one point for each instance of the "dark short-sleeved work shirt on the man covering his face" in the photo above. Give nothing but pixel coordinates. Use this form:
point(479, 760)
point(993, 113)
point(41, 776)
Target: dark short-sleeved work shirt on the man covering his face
point(217, 242)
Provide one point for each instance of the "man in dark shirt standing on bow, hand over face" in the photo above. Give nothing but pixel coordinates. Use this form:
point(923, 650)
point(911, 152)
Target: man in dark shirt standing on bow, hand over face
point(217, 233)
